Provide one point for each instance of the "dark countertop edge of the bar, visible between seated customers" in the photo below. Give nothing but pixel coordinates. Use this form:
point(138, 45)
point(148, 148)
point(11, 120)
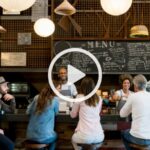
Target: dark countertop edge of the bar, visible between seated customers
point(109, 121)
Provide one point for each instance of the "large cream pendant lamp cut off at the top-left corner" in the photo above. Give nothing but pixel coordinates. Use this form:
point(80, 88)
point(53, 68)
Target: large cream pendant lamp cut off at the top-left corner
point(16, 5)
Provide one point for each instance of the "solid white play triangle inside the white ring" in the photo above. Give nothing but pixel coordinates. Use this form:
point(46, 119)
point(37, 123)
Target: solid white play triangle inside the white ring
point(74, 74)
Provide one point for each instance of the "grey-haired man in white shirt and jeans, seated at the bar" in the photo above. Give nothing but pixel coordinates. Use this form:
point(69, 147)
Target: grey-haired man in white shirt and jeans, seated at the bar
point(138, 104)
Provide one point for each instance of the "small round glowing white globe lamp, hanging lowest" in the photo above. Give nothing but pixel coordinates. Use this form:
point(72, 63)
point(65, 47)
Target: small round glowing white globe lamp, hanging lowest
point(44, 27)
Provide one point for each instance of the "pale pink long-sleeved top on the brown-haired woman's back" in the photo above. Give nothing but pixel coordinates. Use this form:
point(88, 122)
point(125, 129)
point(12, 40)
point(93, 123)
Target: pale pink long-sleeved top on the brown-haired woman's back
point(89, 117)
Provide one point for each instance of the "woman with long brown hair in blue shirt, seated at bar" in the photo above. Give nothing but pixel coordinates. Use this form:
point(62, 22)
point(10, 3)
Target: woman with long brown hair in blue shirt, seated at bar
point(42, 111)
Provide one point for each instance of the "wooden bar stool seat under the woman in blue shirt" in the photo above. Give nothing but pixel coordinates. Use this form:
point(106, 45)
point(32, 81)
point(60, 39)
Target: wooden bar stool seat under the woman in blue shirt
point(35, 146)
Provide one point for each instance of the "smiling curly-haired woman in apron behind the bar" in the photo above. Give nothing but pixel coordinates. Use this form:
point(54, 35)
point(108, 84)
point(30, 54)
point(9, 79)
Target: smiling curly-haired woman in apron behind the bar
point(121, 96)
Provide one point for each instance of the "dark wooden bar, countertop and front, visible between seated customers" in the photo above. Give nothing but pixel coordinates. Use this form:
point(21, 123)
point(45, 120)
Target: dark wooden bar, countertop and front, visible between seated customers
point(15, 125)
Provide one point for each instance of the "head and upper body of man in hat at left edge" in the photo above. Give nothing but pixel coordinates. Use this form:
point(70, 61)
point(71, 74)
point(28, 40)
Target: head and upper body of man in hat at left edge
point(7, 101)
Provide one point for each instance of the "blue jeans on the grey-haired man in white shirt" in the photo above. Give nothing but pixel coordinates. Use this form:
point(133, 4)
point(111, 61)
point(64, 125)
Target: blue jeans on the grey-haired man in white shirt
point(128, 138)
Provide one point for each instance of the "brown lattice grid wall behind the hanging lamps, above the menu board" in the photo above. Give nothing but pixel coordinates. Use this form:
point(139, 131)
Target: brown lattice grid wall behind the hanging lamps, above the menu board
point(94, 22)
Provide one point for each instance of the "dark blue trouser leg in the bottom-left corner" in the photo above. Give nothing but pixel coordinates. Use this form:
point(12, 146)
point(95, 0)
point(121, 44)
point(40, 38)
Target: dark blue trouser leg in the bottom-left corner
point(6, 143)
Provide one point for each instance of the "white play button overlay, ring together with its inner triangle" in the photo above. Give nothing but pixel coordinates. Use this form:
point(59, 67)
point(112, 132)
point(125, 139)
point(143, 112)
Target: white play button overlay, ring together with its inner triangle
point(74, 74)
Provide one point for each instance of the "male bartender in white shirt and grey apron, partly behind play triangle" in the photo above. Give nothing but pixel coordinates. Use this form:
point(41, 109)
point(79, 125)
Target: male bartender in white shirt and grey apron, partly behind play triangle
point(66, 89)
